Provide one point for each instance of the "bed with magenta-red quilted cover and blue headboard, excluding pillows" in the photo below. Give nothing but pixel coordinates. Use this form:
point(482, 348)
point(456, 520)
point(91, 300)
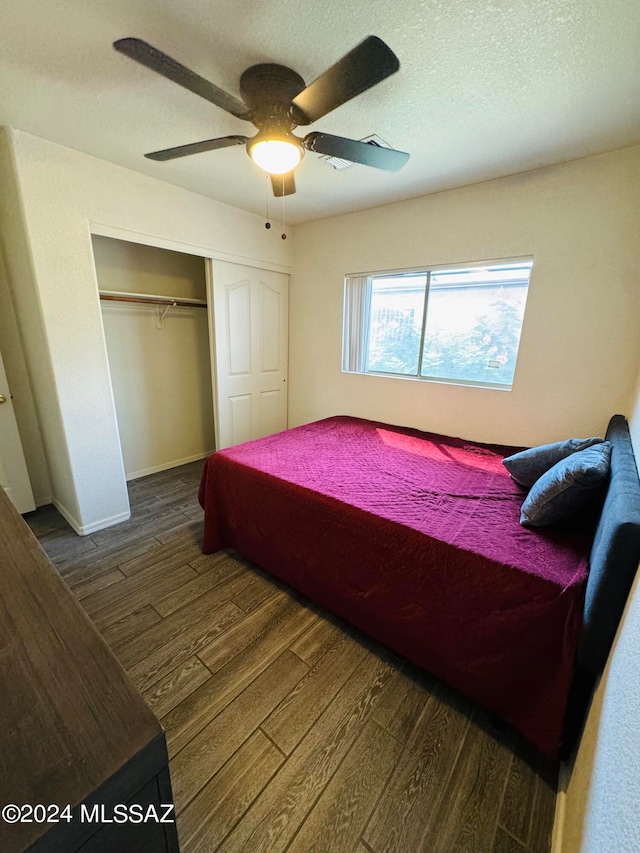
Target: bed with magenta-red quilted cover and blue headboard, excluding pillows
point(415, 539)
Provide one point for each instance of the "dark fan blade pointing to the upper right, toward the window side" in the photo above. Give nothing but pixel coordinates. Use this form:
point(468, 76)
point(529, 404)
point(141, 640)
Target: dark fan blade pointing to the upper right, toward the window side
point(360, 69)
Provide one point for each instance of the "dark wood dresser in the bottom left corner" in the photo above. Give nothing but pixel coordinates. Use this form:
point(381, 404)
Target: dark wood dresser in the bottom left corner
point(76, 739)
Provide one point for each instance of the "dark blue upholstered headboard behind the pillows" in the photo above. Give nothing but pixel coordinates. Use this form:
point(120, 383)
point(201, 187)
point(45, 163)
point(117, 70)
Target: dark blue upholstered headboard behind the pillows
point(615, 553)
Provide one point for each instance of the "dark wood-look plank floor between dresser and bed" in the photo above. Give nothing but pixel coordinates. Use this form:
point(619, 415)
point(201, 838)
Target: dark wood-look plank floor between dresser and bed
point(287, 729)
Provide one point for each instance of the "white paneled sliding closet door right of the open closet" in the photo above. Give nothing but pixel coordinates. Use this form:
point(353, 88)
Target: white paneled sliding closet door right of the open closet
point(250, 325)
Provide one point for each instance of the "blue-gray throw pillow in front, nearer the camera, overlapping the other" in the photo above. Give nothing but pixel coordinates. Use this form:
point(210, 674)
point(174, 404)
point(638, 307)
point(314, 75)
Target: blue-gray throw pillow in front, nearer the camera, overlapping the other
point(567, 487)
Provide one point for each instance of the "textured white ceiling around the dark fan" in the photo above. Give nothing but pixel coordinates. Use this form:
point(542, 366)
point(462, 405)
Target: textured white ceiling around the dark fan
point(486, 87)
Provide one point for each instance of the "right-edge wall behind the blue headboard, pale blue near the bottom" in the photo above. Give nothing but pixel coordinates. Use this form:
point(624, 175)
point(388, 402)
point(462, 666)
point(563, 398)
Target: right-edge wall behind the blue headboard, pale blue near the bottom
point(600, 813)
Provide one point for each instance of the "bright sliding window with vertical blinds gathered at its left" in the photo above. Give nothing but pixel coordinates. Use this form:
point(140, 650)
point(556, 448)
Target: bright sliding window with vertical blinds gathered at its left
point(457, 325)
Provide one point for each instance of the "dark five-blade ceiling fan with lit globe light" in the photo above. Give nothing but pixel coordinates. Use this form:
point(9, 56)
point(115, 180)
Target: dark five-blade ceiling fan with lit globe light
point(276, 100)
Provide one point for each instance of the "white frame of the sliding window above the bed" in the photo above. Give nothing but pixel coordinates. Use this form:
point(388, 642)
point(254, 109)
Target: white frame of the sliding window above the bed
point(427, 272)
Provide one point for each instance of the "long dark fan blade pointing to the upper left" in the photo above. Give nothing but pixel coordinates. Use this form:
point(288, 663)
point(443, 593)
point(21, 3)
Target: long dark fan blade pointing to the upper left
point(145, 54)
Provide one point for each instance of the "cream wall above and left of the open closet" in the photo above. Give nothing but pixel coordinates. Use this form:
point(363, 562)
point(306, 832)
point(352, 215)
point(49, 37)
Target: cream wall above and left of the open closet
point(64, 196)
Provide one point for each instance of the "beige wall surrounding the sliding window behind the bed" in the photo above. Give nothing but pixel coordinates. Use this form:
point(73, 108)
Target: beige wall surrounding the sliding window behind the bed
point(579, 343)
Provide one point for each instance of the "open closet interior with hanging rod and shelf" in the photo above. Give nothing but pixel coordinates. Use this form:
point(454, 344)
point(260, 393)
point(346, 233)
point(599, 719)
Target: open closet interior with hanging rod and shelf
point(154, 314)
